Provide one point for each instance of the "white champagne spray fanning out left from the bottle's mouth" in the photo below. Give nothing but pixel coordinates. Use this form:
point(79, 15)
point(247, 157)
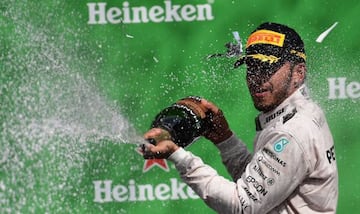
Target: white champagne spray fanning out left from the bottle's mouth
point(51, 117)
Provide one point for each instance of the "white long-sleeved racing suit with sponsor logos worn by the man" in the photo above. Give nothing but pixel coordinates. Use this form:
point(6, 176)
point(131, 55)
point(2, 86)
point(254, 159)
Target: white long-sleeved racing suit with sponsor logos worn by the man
point(292, 169)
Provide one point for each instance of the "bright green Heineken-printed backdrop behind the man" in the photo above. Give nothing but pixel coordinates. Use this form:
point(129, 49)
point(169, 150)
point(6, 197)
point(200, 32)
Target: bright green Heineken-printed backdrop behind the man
point(81, 81)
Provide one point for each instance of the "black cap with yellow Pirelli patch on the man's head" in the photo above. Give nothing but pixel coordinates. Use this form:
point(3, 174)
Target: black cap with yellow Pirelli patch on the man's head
point(270, 45)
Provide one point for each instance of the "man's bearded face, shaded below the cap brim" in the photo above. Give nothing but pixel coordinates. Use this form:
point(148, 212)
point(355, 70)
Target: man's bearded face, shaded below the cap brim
point(269, 89)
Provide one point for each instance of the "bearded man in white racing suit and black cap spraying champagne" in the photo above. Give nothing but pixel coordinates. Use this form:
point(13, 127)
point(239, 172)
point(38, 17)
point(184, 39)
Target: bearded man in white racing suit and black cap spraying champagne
point(293, 167)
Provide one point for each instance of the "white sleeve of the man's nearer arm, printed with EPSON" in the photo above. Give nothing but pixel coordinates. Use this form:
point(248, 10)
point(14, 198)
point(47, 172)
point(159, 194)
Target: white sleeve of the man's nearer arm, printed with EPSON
point(269, 178)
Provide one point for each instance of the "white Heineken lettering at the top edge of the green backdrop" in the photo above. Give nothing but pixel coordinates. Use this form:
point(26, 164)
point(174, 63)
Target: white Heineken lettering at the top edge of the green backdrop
point(102, 13)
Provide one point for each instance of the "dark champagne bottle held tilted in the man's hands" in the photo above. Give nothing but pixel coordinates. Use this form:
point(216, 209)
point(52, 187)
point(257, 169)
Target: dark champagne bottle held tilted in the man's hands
point(183, 122)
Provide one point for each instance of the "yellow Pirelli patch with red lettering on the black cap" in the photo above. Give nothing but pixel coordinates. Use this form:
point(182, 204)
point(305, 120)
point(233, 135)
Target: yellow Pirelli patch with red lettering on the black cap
point(266, 37)
